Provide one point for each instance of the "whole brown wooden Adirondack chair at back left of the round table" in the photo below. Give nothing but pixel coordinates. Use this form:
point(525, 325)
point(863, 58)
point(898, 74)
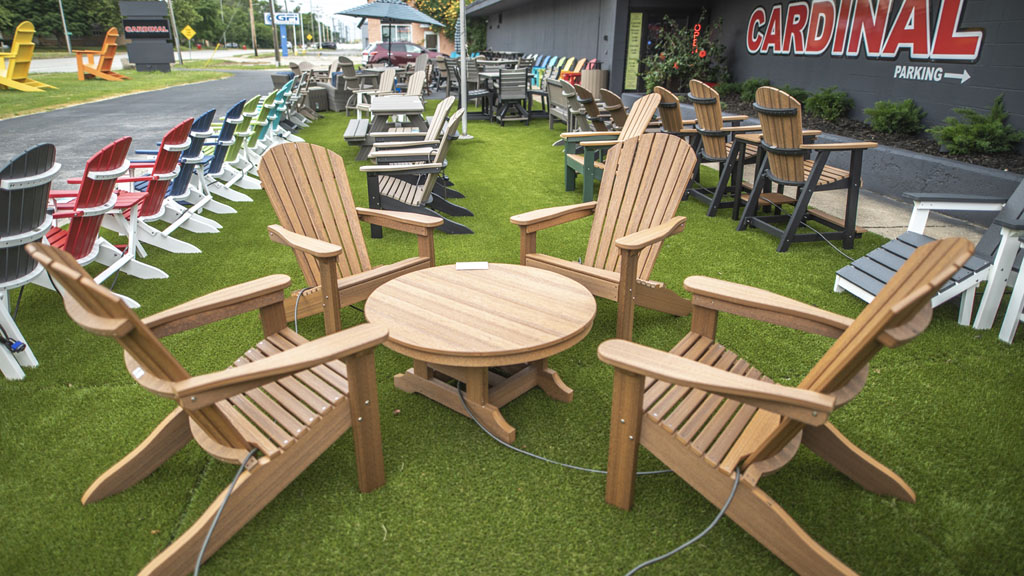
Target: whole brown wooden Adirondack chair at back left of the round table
point(310, 192)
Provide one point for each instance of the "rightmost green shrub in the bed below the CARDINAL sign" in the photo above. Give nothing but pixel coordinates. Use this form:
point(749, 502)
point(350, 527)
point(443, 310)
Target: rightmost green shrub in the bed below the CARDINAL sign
point(980, 135)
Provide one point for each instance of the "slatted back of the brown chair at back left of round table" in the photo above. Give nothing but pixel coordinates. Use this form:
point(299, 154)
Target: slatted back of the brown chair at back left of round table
point(309, 189)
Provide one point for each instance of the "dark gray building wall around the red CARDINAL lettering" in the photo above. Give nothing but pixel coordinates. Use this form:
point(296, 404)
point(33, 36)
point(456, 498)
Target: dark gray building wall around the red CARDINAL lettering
point(999, 69)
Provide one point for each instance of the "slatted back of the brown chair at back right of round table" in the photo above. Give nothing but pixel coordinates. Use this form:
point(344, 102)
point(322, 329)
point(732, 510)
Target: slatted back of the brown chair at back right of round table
point(644, 183)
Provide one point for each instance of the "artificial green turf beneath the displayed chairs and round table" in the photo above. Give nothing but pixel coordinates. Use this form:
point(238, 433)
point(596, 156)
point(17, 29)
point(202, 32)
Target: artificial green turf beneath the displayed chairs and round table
point(943, 412)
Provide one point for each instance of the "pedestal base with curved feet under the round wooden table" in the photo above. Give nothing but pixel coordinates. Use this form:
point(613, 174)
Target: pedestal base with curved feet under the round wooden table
point(486, 391)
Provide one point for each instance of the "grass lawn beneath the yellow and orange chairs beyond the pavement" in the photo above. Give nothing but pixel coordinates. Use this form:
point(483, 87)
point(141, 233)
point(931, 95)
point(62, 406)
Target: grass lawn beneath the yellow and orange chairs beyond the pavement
point(70, 91)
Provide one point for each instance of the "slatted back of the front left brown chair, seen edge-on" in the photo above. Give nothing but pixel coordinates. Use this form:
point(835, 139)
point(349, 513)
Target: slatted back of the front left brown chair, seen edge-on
point(101, 312)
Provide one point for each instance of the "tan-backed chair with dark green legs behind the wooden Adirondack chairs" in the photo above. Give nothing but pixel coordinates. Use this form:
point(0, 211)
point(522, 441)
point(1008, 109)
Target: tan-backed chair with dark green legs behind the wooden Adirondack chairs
point(594, 143)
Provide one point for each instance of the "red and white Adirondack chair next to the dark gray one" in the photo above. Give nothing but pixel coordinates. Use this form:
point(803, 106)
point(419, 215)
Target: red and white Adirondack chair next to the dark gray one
point(87, 208)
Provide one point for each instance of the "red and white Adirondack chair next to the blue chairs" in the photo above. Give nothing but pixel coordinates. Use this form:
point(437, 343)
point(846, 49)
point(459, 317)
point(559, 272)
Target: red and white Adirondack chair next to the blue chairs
point(160, 173)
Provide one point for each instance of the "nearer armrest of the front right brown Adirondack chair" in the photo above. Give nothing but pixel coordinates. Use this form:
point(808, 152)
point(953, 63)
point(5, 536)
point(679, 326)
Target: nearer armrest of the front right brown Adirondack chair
point(806, 406)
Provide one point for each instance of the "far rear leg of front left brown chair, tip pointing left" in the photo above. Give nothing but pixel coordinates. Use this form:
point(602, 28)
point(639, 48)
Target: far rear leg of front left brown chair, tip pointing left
point(169, 437)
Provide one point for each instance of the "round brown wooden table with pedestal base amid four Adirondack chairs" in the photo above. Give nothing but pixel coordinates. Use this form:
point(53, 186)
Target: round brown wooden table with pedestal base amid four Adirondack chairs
point(458, 324)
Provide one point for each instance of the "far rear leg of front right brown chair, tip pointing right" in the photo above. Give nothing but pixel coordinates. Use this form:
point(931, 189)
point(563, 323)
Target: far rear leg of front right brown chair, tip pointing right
point(836, 449)
